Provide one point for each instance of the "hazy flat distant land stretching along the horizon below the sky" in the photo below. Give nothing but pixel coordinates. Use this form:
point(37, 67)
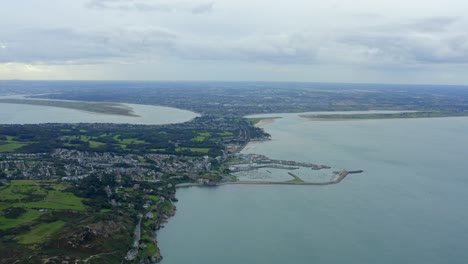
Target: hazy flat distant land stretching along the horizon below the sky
point(239, 99)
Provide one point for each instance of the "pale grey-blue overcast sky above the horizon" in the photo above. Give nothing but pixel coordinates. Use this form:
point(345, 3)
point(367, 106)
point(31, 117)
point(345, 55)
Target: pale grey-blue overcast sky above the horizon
point(382, 41)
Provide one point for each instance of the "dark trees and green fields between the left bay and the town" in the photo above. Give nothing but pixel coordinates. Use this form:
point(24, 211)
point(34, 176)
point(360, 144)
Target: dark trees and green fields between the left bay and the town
point(203, 136)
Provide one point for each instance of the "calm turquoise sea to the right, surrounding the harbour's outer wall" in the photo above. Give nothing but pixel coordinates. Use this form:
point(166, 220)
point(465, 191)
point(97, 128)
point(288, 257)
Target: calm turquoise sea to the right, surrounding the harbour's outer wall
point(410, 205)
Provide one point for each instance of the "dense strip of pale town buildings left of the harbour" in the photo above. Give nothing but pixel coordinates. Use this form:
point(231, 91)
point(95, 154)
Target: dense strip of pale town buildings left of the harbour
point(70, 165)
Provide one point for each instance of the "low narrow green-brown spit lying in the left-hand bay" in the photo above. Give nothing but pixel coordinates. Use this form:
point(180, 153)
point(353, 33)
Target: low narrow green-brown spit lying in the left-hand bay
point(101, 108)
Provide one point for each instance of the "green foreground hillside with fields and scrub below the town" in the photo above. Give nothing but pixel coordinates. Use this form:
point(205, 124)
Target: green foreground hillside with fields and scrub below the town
point(44, 220)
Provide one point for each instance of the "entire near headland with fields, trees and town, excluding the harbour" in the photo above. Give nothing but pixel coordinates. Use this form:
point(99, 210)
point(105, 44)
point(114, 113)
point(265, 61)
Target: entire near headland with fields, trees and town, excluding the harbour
point(122, 175)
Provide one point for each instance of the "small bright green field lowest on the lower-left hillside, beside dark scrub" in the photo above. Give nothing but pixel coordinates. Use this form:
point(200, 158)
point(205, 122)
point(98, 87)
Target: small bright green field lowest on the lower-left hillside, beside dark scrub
point(40, 233)
